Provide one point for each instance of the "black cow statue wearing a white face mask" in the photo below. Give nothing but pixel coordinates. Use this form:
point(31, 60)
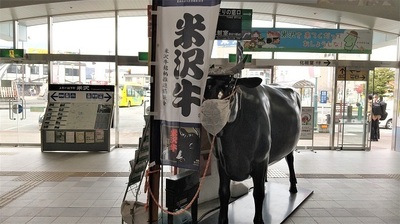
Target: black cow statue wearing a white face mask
point(262, 127)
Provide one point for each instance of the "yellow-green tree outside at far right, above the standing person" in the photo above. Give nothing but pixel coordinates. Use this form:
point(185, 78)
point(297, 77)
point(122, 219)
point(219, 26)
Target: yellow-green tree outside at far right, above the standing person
point(382, 82)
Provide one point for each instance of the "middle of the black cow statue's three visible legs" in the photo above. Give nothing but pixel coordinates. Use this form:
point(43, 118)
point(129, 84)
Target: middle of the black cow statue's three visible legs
point(259, 191)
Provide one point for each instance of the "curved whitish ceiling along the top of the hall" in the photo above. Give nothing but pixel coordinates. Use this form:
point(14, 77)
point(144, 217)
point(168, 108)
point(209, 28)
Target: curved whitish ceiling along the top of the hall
point(386, 19)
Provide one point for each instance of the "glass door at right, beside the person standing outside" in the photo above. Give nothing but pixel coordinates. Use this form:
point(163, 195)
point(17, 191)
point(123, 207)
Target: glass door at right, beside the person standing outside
point(351, 124)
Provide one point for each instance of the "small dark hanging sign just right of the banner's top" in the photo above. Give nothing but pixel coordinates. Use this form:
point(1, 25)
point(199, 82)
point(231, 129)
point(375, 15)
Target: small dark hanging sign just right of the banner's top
point(234, 24)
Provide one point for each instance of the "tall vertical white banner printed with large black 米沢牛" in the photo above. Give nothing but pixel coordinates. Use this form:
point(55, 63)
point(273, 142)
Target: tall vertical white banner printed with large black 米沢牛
point(185, 36)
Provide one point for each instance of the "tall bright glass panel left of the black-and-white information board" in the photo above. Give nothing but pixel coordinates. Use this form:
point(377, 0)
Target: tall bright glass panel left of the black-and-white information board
point(22, 102)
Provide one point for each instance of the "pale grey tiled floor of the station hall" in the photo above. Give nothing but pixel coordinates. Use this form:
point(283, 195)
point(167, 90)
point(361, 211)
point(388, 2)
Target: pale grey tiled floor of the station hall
point(35, 187)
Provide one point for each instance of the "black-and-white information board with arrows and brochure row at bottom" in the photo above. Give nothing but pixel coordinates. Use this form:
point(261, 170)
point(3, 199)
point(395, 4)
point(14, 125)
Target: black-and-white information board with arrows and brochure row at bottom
point(78, 118)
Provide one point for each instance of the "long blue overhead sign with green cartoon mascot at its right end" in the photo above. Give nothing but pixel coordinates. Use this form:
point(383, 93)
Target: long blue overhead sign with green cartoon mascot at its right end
point(310, 40)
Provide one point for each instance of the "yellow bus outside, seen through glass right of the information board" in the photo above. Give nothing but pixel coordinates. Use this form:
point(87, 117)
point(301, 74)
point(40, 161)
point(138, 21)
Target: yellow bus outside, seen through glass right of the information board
point(131, 94)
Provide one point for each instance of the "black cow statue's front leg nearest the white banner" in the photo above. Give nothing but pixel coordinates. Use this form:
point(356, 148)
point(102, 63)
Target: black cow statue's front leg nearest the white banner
point(224, 195)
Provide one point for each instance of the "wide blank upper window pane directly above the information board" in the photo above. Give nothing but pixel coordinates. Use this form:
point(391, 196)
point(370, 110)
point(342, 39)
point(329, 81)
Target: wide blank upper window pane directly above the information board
point(93, 36)
